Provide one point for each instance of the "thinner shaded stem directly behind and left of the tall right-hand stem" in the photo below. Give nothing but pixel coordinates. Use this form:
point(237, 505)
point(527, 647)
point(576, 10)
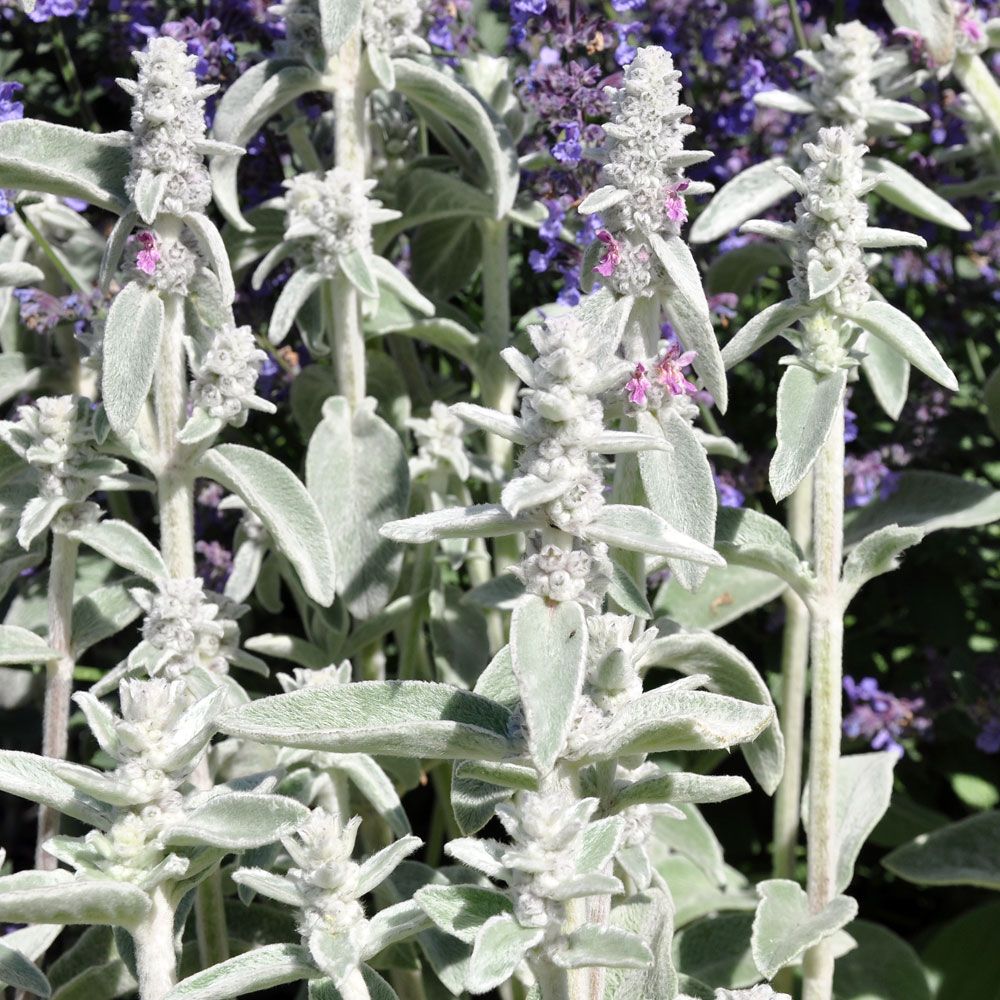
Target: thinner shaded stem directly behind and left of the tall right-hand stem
point(794, 682)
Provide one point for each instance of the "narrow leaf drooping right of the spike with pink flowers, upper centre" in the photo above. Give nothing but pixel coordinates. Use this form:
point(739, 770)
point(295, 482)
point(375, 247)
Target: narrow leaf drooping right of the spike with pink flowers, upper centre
point(687, 309)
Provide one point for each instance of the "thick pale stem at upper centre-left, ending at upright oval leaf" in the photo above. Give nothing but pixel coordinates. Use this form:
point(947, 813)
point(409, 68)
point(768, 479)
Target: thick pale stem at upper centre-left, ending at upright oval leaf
point(350, 152)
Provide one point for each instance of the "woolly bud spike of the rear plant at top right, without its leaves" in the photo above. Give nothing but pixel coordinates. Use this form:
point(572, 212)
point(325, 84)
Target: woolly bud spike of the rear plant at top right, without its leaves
point(842, 90)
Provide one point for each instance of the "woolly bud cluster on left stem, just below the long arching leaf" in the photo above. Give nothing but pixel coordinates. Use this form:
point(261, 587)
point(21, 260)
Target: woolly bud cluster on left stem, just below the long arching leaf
point(188, 627)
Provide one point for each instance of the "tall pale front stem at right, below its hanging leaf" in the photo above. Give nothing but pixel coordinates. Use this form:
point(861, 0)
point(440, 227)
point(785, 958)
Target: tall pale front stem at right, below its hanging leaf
point(827, 651)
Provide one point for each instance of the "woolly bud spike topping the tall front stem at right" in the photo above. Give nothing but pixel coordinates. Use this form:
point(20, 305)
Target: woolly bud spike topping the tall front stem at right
point(830, 222)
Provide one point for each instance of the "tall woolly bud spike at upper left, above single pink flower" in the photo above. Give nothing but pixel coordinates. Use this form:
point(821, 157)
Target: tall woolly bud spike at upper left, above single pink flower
point(168, 120)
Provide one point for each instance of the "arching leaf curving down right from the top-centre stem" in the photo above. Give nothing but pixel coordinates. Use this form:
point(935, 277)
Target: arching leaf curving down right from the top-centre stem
point(427, 87)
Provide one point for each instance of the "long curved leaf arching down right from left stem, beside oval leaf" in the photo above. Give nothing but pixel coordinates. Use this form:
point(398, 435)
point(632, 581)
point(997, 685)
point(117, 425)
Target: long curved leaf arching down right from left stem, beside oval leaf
point(273, 492)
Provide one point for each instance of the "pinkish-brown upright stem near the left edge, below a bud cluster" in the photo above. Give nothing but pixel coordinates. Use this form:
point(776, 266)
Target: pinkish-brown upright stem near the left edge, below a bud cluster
point(58, 676)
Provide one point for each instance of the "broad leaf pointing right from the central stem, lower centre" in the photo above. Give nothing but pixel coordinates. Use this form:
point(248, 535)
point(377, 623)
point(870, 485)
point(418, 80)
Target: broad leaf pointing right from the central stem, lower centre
point(674, 717)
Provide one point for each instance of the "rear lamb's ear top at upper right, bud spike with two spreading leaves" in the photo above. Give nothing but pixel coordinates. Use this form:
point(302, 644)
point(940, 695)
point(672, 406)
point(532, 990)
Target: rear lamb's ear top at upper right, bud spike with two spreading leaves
point(855, 81)
